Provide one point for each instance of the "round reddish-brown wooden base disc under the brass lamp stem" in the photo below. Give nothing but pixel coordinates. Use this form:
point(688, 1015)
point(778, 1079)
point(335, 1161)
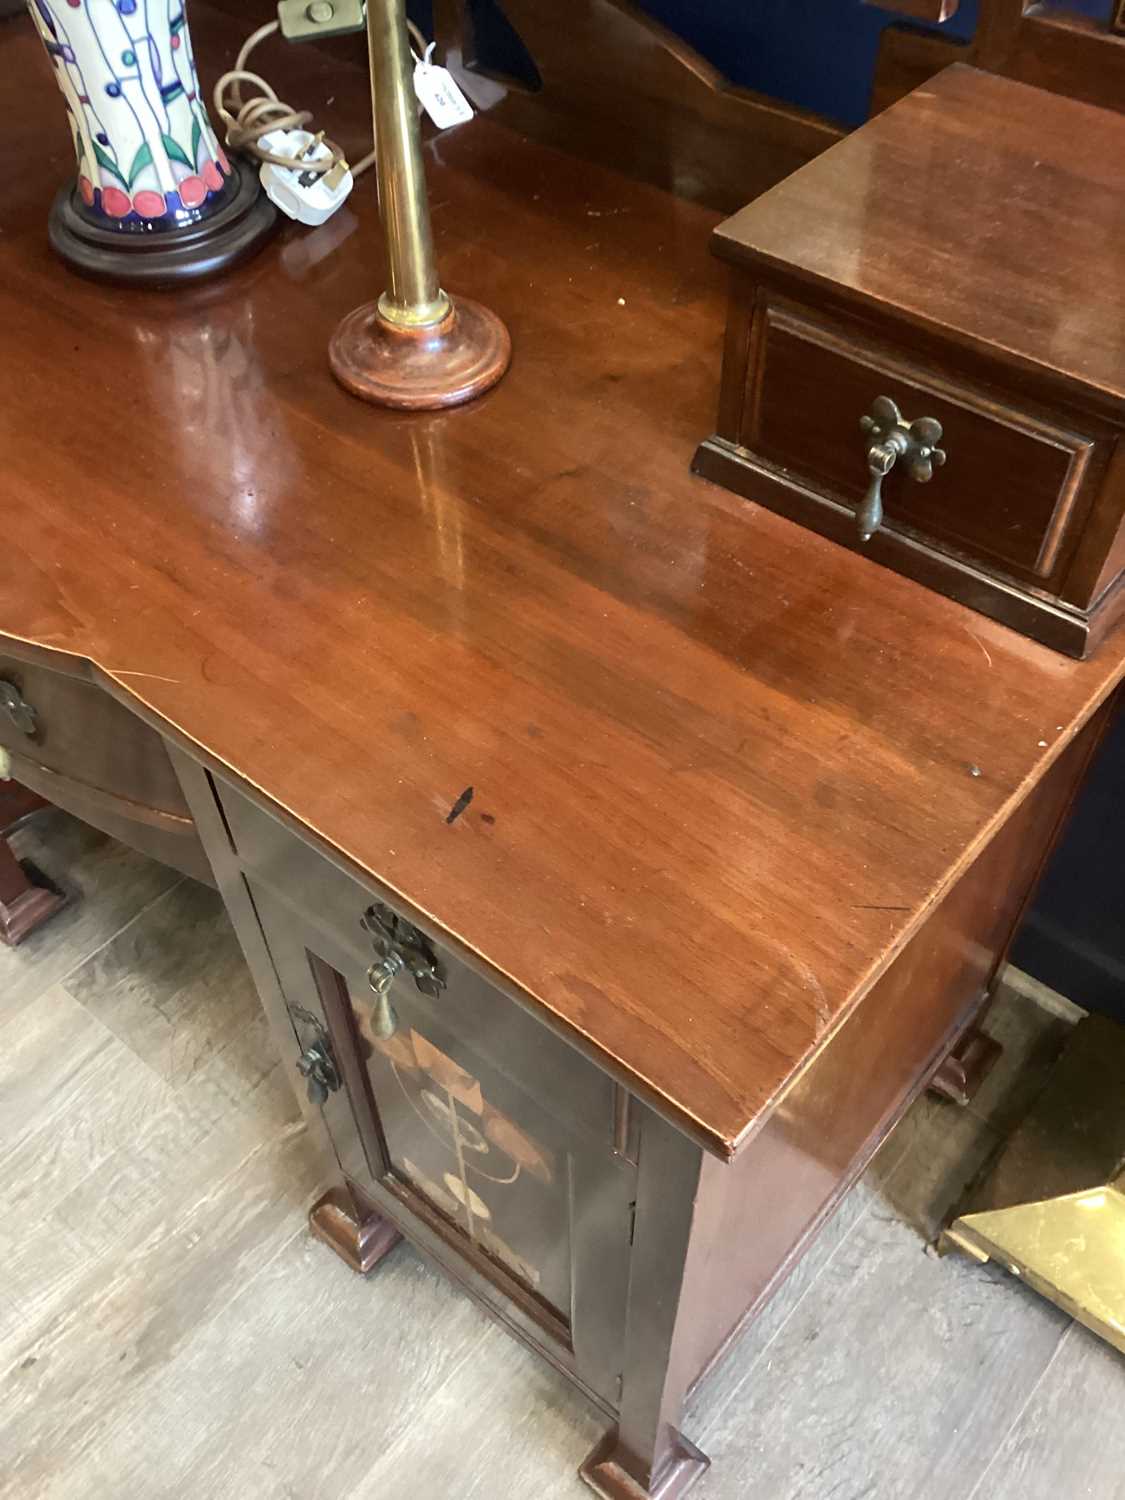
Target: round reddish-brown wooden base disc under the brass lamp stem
point(421, 370)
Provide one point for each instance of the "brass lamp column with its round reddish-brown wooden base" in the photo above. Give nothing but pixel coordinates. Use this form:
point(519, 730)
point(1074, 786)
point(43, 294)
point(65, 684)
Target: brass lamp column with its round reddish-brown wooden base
point(416, 347)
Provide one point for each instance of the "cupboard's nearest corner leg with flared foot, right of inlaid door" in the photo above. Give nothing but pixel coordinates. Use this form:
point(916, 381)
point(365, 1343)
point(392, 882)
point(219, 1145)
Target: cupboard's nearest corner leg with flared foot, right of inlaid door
point(647, 1457)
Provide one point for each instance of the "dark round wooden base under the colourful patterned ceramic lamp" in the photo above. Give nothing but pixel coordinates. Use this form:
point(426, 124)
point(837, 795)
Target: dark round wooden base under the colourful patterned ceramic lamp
point(166, 257)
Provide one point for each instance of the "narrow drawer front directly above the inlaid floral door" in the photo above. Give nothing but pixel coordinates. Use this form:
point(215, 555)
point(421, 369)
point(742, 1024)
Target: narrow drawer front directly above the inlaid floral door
point(568, 1085)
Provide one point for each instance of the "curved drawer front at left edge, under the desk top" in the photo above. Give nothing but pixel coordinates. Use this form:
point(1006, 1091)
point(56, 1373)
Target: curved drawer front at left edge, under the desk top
point(77, 731)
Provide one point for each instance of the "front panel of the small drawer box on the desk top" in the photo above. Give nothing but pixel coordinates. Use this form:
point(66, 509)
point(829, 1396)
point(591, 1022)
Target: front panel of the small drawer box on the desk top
point(1015, 488)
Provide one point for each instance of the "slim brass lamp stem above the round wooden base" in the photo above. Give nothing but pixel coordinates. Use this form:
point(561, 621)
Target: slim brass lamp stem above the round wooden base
point(415, 298)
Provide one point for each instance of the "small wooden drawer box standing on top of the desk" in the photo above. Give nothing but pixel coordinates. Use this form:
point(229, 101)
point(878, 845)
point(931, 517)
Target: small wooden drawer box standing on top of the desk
point(926, 352)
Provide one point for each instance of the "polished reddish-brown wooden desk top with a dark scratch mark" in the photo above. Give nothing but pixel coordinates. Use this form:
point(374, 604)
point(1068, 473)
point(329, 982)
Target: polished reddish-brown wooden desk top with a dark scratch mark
point(722, 770)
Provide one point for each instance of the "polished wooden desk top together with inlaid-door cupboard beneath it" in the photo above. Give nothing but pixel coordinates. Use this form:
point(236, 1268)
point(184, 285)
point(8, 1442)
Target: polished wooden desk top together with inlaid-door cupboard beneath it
point(686, 844)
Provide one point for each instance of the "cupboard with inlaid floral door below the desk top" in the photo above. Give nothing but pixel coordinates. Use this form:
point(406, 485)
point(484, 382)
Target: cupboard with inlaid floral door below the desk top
point(586, 1222)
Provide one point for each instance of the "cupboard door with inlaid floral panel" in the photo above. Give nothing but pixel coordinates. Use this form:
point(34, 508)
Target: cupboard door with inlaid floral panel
point(481, 1126)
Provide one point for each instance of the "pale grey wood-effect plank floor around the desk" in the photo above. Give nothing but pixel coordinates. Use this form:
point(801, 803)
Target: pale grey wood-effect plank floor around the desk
point(170, 1330)
